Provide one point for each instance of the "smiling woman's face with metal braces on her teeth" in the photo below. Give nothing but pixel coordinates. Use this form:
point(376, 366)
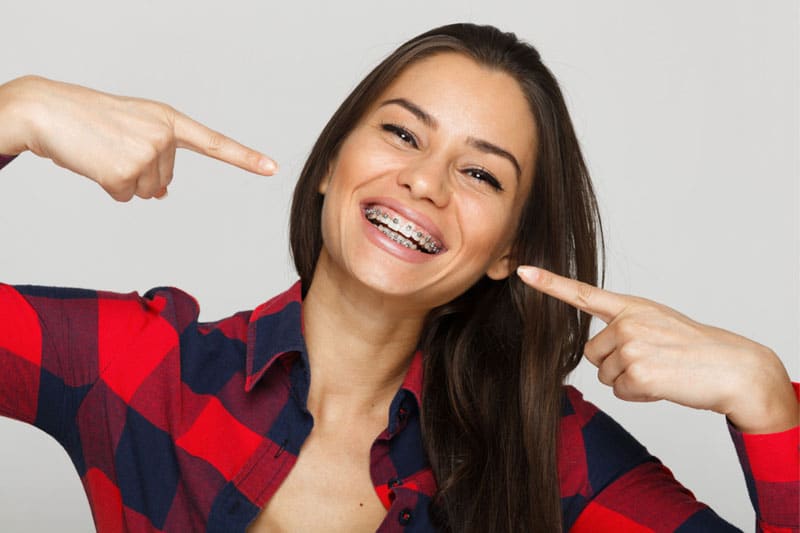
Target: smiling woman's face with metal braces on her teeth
point(425, 193)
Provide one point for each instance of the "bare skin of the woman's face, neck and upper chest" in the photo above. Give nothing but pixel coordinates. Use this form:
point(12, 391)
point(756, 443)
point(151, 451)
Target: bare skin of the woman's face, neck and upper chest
point(364, 309)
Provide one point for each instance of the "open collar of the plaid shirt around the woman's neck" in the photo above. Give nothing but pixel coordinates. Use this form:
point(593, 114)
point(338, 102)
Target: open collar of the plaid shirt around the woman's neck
point(275, 329)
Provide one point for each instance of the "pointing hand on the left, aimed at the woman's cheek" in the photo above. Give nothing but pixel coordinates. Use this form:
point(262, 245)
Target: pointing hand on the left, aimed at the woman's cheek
point(126, 145)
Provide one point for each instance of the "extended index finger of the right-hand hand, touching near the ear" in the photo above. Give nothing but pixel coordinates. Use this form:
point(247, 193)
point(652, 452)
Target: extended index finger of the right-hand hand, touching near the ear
point(598, 302)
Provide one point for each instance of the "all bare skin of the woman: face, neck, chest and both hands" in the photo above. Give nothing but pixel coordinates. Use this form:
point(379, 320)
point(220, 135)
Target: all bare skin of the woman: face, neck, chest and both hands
point(365, 306)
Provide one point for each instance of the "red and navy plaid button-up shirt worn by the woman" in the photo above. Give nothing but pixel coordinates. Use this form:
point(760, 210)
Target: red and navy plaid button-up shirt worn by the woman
point(180, 425)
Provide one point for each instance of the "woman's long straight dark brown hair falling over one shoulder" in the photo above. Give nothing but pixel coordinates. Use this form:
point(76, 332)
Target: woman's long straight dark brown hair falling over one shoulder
point(495, 358)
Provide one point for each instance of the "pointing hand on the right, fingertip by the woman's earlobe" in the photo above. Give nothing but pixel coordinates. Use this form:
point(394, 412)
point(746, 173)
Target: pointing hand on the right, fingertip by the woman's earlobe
point(649, 352)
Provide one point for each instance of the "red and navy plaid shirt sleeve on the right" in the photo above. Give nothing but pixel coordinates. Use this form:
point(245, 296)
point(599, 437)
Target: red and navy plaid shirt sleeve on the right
point(611, 483)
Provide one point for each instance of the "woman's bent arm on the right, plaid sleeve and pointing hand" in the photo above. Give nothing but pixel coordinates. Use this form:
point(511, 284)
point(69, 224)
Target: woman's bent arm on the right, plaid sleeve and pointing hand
point(650, 352)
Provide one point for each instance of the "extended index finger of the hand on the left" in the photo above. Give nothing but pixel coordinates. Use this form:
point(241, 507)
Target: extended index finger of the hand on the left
point(198, 138)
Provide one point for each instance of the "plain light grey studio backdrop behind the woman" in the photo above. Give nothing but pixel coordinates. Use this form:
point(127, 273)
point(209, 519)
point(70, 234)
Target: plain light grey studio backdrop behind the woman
point(687, 112)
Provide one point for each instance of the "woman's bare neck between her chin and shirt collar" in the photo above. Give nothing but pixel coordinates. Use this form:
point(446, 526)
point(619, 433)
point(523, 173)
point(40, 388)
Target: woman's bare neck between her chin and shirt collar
point(359, 347)
